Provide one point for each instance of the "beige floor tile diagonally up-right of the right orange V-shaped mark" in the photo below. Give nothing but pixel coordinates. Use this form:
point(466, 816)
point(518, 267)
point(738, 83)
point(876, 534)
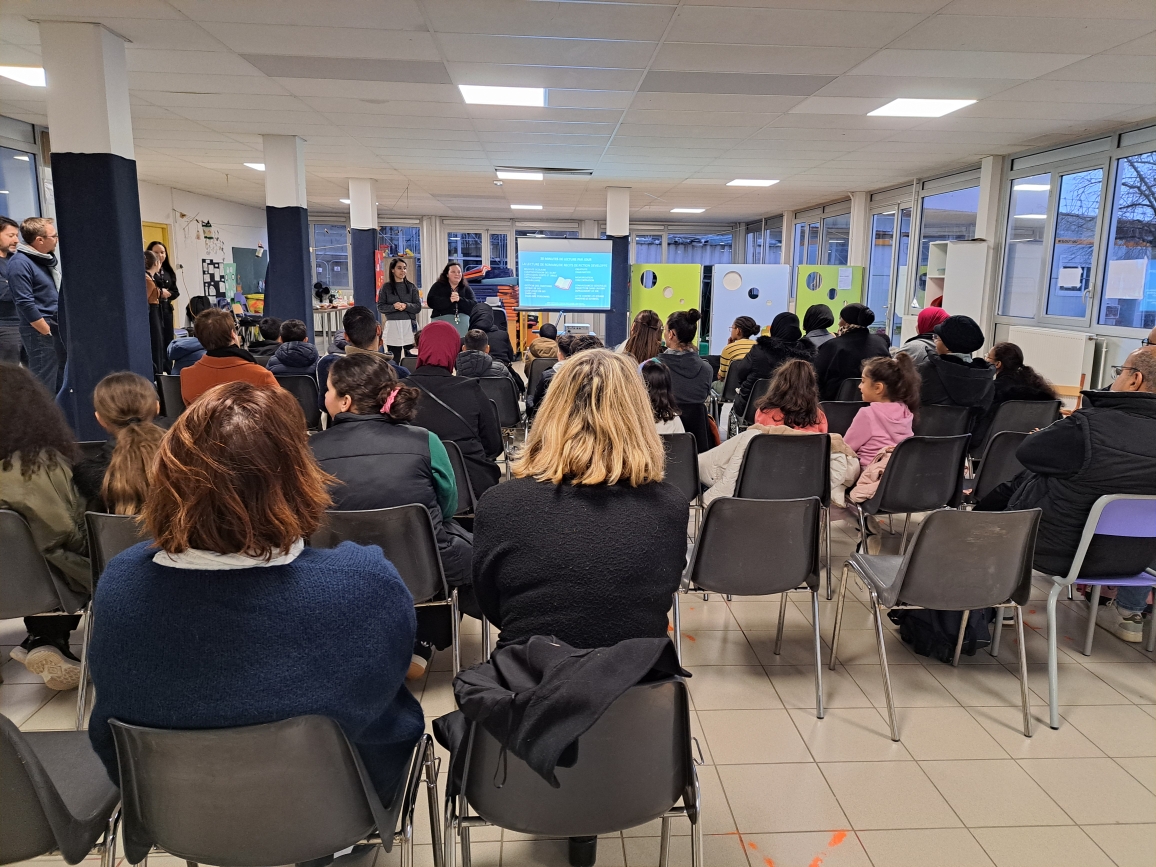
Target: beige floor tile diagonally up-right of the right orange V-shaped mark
point(888, 795)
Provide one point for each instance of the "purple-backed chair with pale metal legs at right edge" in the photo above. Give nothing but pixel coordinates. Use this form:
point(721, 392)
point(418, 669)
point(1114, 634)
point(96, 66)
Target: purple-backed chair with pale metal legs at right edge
point(1117, 549)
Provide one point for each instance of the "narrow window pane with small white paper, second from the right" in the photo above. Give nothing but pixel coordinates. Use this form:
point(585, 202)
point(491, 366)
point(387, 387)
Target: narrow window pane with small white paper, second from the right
point(1073, 254)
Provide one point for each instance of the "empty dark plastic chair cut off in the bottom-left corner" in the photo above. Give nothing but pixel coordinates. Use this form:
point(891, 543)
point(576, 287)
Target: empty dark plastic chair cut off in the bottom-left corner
point(55, 797)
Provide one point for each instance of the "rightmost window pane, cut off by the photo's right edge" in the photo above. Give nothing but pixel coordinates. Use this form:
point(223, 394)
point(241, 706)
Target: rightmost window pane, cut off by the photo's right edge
point(1130, 278)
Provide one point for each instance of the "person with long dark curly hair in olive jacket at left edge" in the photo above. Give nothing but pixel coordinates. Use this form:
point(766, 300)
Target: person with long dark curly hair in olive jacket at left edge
point(38, 455)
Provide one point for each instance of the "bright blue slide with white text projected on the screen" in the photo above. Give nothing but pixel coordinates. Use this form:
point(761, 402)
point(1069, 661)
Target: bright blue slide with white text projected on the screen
point(564, 275)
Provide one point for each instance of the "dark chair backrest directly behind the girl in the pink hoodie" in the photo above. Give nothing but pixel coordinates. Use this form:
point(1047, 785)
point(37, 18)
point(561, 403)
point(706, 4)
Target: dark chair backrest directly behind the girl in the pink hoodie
point(924, 473)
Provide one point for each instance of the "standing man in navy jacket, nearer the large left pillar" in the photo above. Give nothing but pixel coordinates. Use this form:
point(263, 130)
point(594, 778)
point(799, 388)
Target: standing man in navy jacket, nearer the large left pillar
point(34, 281)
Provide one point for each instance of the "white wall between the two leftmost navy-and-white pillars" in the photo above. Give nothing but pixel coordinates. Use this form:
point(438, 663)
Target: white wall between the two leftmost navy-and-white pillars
point(236, 226)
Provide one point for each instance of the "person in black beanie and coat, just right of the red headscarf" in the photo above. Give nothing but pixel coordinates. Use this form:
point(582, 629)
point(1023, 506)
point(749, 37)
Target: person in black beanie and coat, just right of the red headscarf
point(952, 376)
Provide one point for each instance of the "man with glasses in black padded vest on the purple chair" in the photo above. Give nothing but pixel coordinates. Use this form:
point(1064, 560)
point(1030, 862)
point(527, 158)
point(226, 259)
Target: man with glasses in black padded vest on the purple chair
point(1109, 447)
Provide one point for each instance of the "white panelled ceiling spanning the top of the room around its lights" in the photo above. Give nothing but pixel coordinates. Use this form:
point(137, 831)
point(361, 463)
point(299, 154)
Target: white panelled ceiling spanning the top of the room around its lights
point(670, 99)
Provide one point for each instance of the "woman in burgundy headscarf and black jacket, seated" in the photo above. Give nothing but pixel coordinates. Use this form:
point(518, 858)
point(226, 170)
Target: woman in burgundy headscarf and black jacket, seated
point(455, 407)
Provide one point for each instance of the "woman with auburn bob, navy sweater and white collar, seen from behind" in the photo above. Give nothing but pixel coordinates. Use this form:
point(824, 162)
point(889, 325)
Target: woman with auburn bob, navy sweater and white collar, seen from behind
point(228, 620)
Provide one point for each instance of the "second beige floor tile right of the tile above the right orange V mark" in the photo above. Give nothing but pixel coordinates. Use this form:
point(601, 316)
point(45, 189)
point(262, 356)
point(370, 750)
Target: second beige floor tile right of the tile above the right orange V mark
point(994, 794)
